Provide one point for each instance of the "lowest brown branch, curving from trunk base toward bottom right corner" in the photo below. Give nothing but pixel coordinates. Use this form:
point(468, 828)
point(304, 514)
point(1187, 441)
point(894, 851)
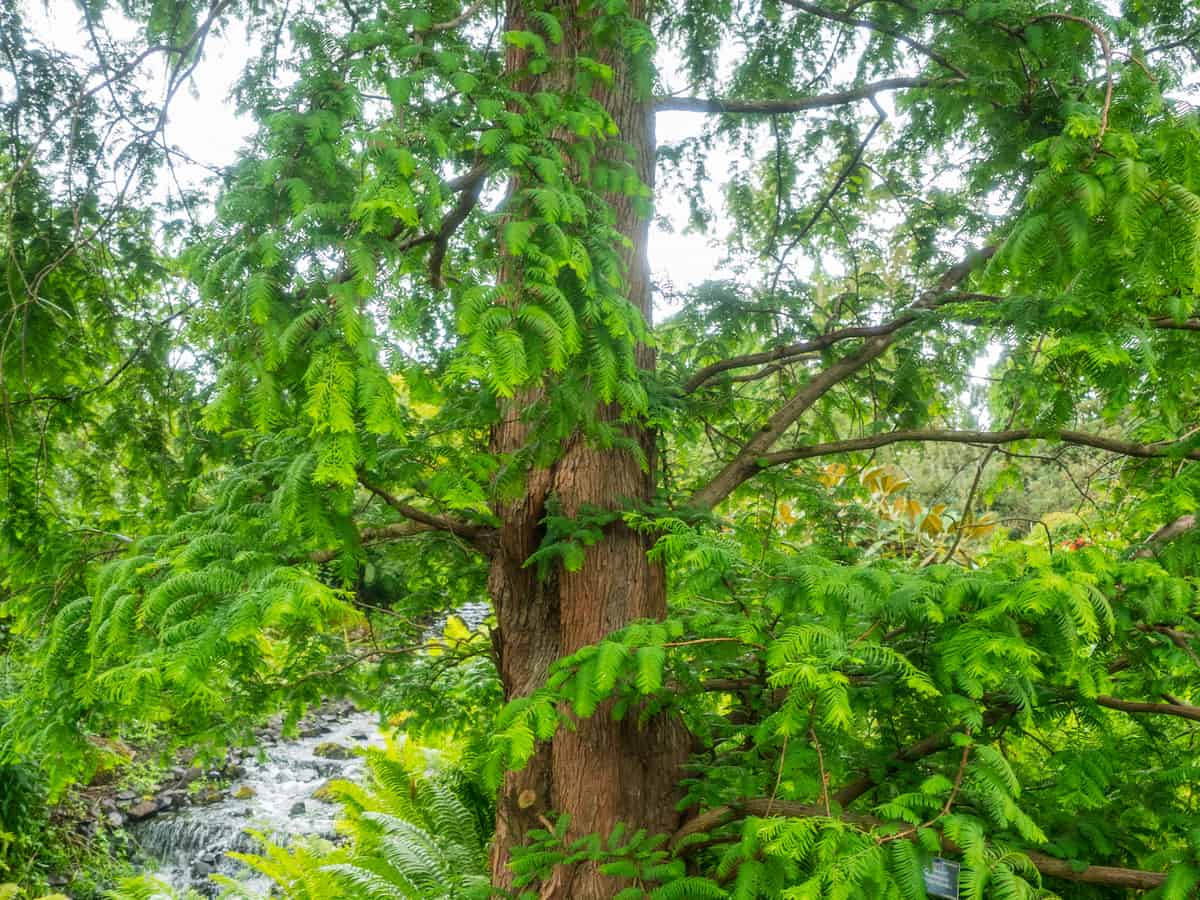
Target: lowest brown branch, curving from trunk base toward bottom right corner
point(1106, 875)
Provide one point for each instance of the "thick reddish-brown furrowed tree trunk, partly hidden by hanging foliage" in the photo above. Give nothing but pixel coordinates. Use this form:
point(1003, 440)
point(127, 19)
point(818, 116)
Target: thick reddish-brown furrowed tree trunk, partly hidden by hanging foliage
point(604, 772)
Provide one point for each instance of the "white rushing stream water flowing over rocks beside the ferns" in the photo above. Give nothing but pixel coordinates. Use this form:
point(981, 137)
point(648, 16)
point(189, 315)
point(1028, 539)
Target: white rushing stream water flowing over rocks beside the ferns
point(275, 796)
